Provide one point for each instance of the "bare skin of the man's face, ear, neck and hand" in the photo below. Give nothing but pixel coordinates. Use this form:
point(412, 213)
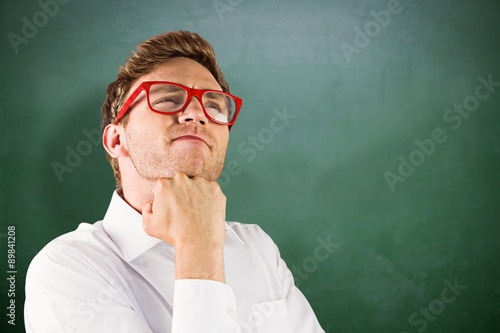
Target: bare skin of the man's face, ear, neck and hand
point(169, 165)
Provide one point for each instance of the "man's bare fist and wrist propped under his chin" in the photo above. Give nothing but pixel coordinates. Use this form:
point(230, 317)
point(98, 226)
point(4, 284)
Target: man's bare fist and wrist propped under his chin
point(189, 213)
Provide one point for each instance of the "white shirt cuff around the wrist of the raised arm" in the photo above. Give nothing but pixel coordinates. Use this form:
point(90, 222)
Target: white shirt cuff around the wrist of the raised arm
point(203, 306)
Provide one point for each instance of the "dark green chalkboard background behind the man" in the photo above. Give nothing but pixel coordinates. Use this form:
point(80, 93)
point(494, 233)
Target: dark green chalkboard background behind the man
point(322, 175)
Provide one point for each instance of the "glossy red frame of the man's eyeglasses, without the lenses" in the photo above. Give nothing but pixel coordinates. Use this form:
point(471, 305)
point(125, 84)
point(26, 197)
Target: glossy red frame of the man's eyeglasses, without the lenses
point(191, 92)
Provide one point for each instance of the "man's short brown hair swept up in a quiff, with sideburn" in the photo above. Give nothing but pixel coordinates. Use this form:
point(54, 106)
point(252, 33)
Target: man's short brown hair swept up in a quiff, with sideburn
point(149, 55)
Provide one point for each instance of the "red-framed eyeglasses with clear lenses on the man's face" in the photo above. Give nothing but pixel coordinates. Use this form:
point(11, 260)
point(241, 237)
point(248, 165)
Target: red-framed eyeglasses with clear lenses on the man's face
point(172, 98)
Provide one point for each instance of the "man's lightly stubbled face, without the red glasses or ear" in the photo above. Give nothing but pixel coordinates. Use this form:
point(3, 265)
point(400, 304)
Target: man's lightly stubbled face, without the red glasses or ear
point(160, 145)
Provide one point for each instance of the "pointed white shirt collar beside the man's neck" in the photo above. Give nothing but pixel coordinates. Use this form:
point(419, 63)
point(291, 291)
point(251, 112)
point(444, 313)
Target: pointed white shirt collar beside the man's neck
point(123, 224)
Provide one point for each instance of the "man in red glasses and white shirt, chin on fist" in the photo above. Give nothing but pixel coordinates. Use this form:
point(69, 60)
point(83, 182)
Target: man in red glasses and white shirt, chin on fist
point(163, 259)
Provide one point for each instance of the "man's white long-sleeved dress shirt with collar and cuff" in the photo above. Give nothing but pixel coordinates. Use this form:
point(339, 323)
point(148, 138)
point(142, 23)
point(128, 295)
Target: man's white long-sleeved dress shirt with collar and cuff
point(111, 276)
